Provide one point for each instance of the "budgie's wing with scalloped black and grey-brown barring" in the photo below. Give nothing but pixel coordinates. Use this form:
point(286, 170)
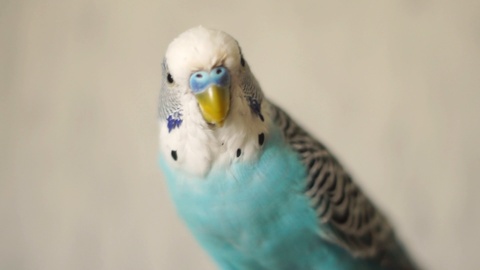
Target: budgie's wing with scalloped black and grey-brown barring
point(346, 217)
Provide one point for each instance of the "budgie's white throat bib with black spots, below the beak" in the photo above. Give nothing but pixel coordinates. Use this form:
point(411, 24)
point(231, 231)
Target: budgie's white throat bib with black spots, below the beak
point(196, 147)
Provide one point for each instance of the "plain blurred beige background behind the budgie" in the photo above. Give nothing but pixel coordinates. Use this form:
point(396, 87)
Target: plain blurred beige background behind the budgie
point(393, 87)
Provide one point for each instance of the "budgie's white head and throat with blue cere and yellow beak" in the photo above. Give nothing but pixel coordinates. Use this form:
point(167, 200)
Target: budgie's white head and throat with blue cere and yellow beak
point(210, 102)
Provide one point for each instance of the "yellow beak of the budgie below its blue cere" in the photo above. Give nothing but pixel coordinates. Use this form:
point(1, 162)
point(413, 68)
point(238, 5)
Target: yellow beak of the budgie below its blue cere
point(214, 104)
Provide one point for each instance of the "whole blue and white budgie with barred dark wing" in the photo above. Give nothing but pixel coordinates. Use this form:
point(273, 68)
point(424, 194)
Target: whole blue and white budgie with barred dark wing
point(255, 189)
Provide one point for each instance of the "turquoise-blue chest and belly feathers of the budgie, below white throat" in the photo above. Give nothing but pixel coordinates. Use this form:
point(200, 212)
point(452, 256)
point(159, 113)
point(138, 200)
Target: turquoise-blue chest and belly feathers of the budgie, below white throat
point(255, 215)
